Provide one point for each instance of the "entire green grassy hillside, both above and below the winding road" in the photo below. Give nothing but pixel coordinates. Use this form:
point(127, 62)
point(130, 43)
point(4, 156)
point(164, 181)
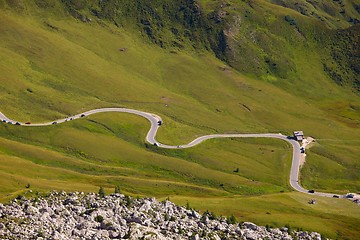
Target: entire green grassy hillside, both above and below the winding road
point(59, 58)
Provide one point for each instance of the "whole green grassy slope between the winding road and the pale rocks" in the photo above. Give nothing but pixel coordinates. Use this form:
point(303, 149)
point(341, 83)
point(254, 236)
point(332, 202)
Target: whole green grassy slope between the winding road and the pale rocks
point(83, 155)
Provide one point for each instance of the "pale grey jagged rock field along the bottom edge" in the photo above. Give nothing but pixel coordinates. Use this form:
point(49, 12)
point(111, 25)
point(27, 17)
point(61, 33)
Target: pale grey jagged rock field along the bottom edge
point(88, 216)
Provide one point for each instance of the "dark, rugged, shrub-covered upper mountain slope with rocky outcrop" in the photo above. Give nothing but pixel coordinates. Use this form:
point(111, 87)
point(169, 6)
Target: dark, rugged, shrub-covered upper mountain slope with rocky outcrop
point(244, 39)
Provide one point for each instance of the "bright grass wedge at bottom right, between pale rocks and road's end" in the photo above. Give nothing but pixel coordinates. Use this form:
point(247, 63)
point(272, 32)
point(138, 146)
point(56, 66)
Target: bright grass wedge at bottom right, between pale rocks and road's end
point(333, 218)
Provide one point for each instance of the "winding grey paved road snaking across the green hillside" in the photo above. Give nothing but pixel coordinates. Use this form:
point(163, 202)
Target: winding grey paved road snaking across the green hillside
point(155, 120)
